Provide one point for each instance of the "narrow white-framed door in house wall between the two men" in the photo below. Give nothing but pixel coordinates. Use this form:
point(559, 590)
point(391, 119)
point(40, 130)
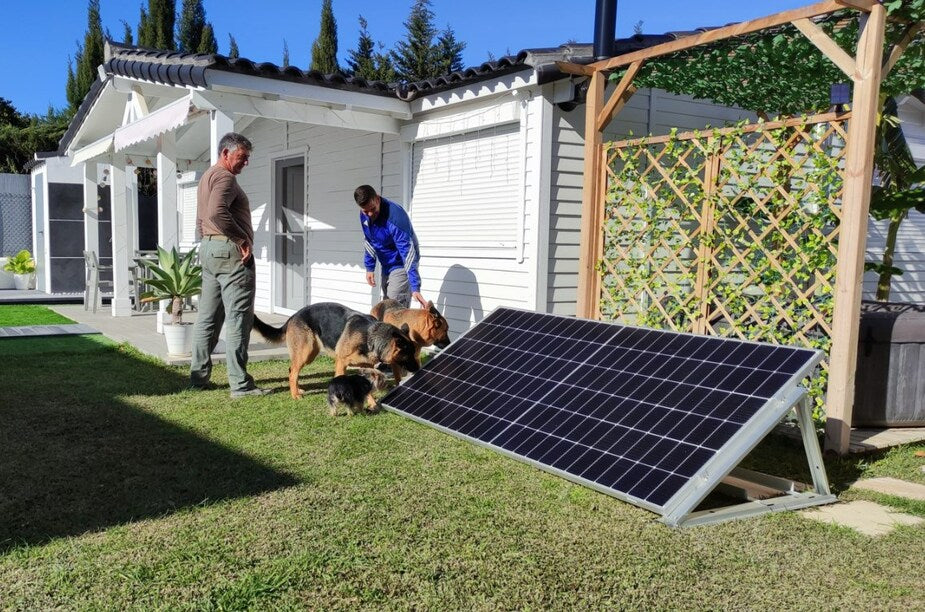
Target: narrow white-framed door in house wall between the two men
point(289, 293)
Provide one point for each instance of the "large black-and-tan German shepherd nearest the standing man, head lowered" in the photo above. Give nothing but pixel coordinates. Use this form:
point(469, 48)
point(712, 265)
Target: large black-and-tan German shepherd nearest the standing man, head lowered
point(351, 337)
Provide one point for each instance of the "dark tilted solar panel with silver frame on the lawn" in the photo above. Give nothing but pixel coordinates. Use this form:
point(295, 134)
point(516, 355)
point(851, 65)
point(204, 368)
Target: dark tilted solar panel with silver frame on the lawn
point(648, 416)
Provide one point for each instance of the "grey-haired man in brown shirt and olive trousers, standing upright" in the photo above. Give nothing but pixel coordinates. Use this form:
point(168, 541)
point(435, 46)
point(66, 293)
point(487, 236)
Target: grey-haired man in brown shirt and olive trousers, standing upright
point(223, 220)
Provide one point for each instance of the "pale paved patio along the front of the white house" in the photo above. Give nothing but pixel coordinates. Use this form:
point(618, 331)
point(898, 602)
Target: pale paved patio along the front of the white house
point(139, 330)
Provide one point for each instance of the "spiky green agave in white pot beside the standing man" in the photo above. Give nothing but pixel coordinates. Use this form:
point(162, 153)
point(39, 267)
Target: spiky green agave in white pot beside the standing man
point(176, 278)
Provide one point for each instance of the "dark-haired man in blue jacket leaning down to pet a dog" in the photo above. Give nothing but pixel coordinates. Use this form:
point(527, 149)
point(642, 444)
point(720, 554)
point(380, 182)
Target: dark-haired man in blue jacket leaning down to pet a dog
point(390, 239)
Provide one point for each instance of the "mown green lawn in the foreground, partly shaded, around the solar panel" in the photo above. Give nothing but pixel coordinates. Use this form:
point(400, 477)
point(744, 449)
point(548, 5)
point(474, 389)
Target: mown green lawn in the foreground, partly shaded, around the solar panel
point(122, 490)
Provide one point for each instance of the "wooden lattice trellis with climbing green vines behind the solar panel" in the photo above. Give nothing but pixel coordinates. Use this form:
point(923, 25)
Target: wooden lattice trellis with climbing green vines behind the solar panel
point(730, 232)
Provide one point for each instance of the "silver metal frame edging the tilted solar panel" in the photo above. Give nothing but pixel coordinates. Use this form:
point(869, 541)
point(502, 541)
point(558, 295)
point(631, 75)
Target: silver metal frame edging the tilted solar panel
point(703, 480)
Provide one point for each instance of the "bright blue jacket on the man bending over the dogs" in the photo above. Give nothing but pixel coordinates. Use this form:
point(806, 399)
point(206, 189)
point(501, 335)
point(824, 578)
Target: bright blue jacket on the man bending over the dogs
point(391, 240)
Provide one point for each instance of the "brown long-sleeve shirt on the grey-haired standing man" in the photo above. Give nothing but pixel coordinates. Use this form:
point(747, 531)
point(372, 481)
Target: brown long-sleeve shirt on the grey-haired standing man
point(223, 208)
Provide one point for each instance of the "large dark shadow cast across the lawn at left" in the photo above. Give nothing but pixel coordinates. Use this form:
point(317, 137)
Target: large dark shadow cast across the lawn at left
point(77, 458)
